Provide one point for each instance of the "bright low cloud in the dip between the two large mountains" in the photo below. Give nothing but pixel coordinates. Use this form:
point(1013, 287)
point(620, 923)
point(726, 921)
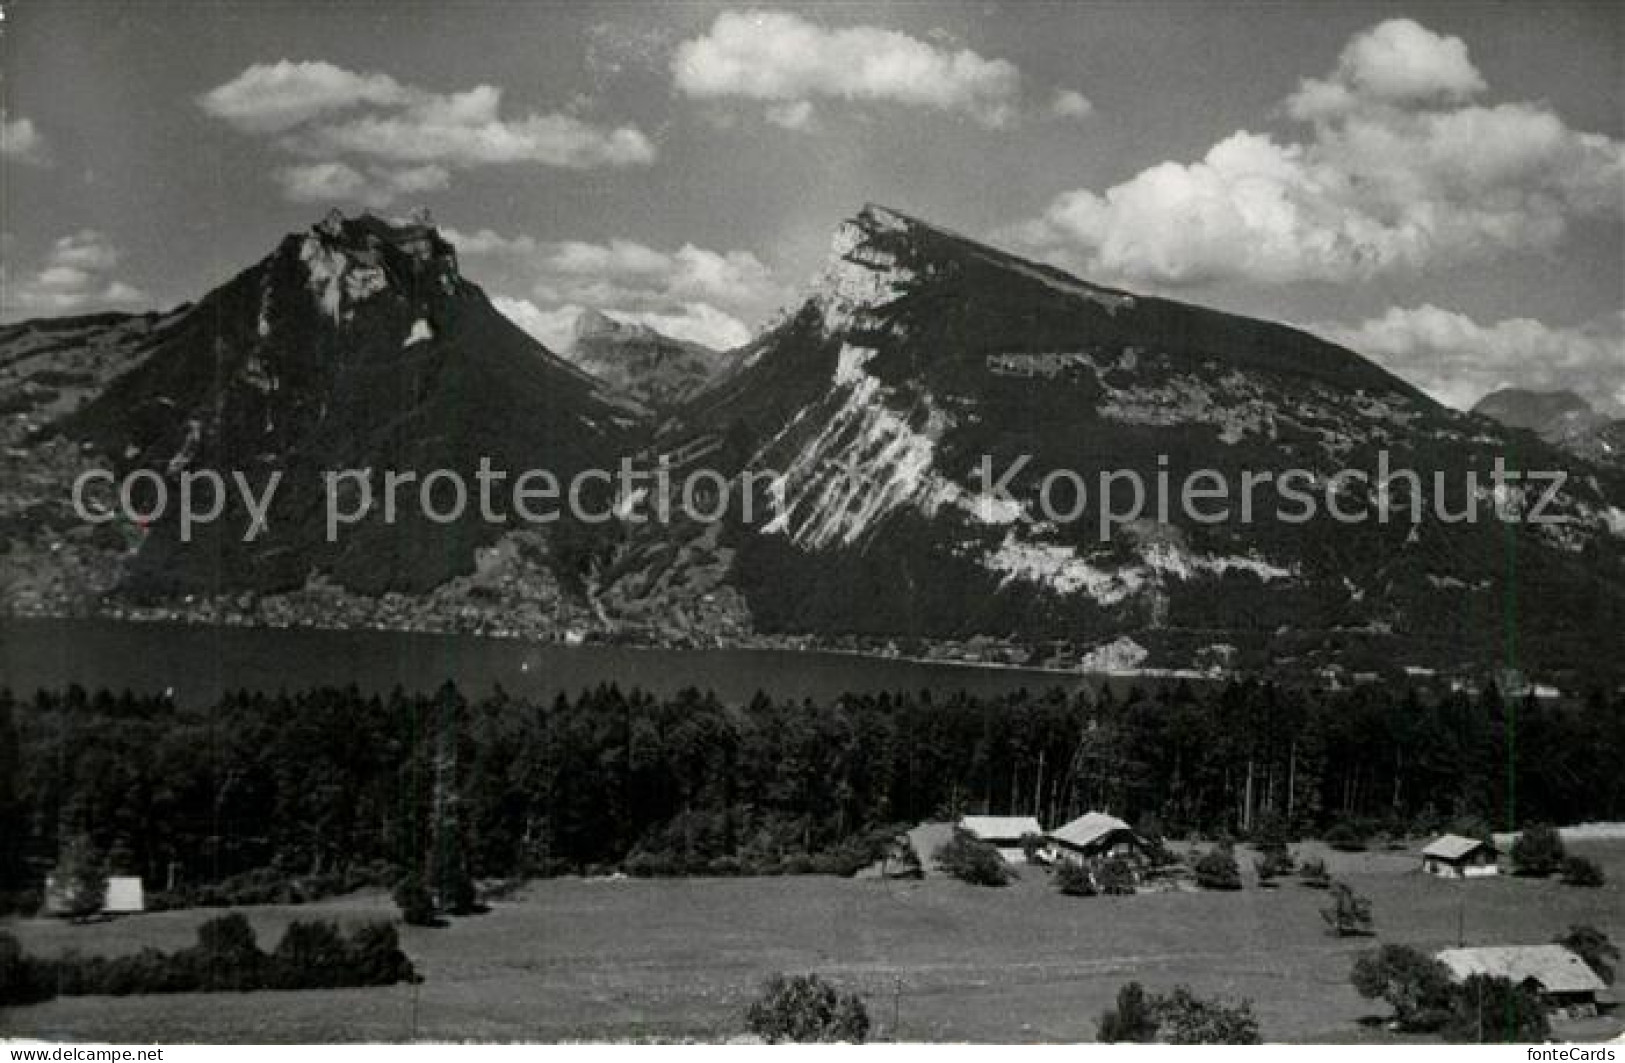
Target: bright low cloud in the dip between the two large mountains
point(691, 293)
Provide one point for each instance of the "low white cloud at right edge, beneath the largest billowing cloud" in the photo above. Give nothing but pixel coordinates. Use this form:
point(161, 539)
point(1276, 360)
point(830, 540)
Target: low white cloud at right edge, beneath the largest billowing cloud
point(1458, 362)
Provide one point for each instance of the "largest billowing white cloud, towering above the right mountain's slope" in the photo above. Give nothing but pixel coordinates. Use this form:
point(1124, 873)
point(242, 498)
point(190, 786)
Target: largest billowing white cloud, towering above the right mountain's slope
point(1397, 171)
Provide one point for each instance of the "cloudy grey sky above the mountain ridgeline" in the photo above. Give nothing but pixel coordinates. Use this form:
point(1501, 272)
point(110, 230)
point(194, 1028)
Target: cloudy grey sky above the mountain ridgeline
point(1439, 186)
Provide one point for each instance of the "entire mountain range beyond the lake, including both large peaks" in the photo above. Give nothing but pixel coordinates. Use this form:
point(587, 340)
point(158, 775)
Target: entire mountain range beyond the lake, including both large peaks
point(865, 420)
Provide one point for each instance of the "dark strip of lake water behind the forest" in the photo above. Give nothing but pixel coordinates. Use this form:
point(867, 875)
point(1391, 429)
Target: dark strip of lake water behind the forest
point(197, 662)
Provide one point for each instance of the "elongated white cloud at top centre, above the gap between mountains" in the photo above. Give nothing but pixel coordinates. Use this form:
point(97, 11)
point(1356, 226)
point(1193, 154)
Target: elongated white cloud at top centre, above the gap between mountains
point(782, 59)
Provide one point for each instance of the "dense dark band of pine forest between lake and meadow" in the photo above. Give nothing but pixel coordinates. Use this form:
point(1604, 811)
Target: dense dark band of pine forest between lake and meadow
point(329, 789)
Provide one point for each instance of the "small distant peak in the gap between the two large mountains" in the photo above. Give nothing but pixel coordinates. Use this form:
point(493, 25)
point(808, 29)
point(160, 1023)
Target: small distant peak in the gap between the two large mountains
point(643, 363)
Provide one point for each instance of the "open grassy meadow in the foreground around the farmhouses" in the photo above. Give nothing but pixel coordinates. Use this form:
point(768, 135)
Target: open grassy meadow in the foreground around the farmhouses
point(680, 960)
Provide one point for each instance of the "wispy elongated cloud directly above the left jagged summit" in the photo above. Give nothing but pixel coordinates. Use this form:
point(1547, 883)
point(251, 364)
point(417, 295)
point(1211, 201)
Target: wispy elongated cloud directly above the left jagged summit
point(375, 139)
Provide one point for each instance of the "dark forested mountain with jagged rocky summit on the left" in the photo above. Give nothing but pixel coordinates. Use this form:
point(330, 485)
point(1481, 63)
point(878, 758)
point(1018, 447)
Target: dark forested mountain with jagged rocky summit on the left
point(355, 345)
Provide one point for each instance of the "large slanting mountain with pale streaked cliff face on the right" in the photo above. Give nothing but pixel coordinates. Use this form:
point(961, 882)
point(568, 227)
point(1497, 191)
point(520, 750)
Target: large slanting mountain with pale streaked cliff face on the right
point(921, 354)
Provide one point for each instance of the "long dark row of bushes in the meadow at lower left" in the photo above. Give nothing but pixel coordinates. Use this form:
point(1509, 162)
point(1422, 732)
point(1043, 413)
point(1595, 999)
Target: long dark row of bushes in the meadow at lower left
point(225, 960)
